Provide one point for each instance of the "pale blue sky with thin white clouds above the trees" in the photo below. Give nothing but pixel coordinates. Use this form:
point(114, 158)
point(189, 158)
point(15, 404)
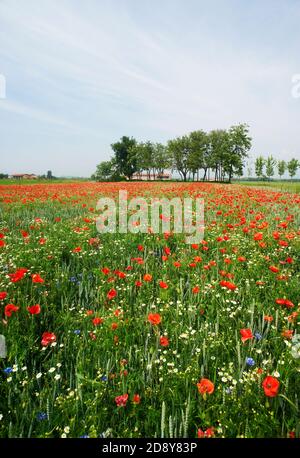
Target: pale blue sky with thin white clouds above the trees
point(79, 75)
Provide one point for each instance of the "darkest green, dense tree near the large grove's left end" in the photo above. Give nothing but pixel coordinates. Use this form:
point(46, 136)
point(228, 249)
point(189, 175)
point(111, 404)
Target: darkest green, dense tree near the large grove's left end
point(126, 162)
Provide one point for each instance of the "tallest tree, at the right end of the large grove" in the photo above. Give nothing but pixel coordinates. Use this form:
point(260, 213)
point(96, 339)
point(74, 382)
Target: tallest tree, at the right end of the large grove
point(239, 143)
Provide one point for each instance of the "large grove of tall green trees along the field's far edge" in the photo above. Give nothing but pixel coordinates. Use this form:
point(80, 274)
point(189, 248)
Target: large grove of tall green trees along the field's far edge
point(216, 155)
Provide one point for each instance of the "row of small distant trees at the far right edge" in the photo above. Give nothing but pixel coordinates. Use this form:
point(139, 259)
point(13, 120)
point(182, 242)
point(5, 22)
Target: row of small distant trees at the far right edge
point(265, 167)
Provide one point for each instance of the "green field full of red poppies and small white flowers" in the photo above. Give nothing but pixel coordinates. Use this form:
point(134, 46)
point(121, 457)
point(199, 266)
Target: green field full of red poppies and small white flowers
point(144, 335)
